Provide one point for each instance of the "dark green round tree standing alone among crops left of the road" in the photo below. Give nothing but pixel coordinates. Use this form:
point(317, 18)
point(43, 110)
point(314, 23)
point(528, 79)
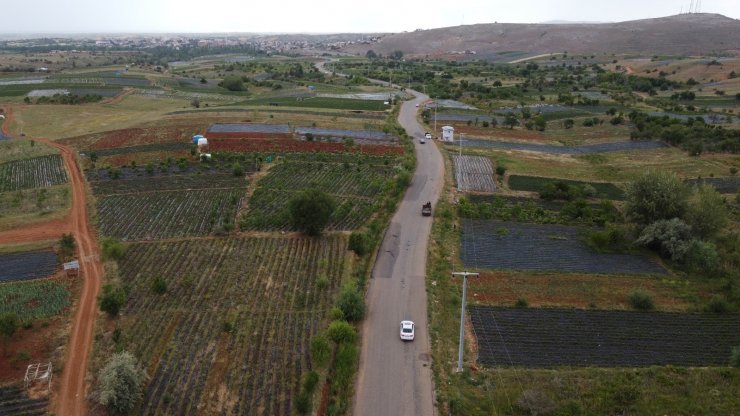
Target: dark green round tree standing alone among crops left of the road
point(310, 211)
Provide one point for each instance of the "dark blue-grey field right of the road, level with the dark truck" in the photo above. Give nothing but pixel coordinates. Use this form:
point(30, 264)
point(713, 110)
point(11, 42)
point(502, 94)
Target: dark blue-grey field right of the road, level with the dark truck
point(517, 246)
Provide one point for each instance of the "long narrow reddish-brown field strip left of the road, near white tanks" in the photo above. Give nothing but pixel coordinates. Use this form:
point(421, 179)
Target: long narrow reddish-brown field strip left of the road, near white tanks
point(297, 146)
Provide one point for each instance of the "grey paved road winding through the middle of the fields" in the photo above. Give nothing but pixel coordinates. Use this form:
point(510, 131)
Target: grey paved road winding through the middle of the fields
point(395, 376)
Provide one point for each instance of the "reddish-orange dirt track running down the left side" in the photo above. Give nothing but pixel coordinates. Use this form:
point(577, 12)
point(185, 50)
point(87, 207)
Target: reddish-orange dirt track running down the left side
point(71, 398)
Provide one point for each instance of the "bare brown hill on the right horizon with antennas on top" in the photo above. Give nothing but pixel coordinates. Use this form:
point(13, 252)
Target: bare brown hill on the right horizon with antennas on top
point(685, 34)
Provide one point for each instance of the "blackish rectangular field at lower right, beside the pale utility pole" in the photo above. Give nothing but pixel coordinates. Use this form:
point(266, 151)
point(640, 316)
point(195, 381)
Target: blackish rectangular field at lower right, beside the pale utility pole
point(568, 337)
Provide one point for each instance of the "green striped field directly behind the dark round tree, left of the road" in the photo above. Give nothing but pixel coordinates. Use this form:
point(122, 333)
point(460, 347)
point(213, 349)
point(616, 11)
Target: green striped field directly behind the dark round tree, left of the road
point(356, 185)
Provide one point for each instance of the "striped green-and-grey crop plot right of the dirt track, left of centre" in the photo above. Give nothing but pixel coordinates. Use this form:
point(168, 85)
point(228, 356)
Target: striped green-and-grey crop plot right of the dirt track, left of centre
point(167, 214)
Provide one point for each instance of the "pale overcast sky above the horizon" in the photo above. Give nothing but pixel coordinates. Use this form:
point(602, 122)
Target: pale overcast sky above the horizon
point(320, 16)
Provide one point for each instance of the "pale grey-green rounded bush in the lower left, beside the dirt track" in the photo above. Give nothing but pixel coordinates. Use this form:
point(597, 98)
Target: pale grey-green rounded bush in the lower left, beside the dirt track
point(120, 383)
